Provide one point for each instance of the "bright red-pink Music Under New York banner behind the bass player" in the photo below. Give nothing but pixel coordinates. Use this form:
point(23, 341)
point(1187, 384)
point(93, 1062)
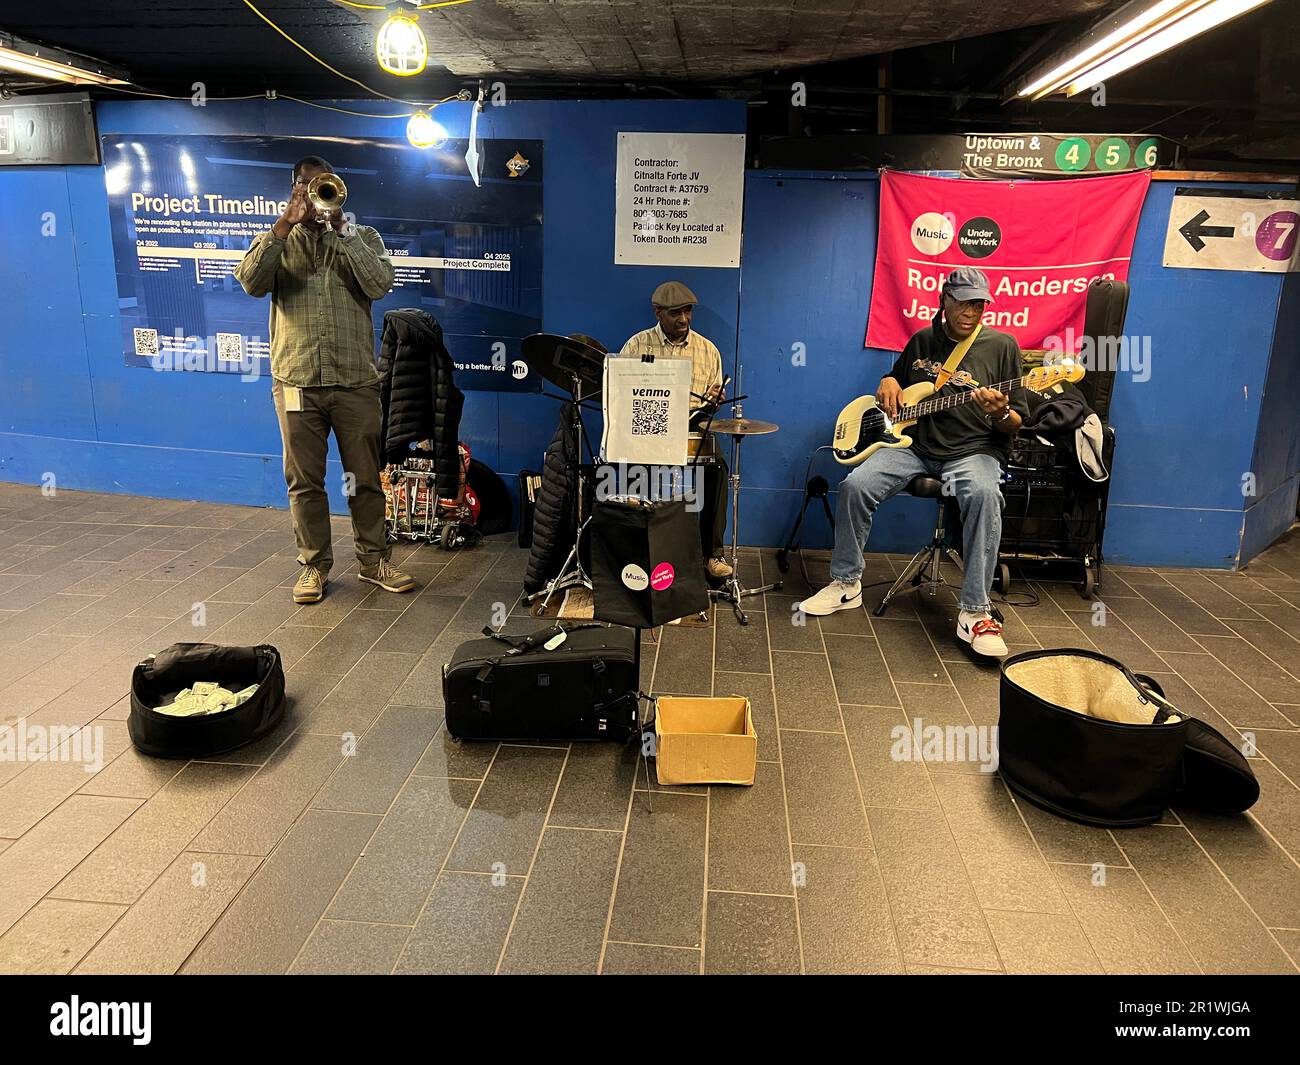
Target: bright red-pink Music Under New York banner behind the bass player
point(1039, 243)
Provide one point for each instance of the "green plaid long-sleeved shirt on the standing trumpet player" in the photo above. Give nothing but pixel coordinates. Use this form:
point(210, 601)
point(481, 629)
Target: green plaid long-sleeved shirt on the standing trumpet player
point(322, 287)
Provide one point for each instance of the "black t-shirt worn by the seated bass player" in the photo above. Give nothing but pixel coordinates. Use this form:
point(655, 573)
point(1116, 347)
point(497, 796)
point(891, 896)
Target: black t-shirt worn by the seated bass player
point(963, 431)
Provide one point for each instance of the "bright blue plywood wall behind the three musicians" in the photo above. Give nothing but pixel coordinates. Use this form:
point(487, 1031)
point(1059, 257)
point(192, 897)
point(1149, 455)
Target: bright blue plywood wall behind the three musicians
point(1217, 405)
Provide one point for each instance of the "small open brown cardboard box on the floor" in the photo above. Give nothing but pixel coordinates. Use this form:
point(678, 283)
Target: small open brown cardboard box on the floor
point(705, 741)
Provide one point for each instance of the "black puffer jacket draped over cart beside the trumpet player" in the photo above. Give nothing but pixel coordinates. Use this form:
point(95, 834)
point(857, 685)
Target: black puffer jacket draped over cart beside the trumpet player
point(421, 399)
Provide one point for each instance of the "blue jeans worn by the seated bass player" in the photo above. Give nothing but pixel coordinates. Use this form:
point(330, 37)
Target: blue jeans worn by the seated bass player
point(976, 487)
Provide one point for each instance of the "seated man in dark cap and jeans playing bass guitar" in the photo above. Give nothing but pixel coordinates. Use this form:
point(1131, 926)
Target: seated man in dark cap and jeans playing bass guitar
point(965, 447)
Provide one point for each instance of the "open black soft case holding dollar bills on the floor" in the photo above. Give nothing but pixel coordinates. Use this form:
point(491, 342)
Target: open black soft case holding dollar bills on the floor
point(159, 679)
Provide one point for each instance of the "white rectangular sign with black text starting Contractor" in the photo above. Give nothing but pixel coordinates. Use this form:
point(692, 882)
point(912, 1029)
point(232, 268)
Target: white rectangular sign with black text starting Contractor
point(679, 200)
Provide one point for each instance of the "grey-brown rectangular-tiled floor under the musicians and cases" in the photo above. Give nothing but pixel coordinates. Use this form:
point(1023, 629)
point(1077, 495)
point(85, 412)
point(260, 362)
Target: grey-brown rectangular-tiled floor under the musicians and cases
point(418, 855)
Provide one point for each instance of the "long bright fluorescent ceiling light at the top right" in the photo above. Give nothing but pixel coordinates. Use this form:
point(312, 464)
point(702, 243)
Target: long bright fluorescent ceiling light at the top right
point(1132, 36)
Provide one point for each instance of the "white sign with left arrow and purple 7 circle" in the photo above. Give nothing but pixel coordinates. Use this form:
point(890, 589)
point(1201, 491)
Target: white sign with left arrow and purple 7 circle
point(1233, 230)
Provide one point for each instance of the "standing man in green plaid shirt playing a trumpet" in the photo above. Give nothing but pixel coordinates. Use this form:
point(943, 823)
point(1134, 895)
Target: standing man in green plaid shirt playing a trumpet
point(323, 274)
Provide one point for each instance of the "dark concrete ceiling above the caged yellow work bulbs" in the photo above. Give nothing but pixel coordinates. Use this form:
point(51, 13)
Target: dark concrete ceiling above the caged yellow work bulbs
point(226, 45)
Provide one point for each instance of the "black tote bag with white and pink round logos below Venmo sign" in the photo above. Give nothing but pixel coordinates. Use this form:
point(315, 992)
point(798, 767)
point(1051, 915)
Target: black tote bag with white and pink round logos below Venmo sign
point(647, 564)
